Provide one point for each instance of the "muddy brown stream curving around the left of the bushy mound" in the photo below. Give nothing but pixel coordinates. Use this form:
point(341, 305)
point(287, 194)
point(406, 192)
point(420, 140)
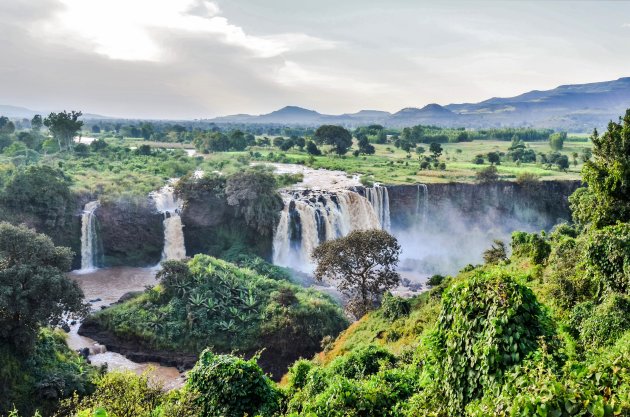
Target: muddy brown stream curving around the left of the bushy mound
point(109, 285)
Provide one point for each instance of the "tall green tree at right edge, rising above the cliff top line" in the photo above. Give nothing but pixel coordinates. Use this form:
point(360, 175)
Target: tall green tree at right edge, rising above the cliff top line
point(606, 199)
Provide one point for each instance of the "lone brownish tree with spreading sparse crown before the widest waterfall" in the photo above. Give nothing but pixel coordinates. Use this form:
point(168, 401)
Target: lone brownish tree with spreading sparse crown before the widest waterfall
point(362, 265)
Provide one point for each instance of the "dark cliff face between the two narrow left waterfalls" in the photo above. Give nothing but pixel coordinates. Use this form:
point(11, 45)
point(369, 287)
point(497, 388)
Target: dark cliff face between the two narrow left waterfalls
point(131, 232)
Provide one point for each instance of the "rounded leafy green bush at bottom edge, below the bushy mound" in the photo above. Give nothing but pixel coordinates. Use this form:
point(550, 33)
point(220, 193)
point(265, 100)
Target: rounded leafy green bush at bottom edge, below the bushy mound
point(229, 386)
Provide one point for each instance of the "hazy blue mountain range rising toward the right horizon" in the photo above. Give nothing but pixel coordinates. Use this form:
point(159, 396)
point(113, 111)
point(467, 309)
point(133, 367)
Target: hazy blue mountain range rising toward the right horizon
point(578, 107)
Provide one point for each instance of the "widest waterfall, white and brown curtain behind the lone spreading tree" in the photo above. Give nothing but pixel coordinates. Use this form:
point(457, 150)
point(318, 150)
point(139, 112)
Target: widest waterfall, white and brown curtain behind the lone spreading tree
point(312, 217)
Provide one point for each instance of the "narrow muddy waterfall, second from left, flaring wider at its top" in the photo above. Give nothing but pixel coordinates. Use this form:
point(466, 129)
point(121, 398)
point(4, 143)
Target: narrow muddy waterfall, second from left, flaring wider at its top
point(170, 206)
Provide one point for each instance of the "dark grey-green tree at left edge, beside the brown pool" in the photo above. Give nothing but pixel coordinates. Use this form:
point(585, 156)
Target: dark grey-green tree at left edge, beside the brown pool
point(34, 288)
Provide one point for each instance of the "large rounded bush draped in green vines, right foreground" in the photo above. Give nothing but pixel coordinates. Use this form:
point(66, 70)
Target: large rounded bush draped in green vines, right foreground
point(488, 324)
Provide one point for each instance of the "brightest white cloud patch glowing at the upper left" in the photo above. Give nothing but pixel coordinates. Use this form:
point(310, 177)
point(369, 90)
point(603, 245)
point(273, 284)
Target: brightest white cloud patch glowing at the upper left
point(126, 29)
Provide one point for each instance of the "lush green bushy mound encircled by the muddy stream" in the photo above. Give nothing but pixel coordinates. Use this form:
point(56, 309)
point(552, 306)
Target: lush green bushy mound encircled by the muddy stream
point(214, 303)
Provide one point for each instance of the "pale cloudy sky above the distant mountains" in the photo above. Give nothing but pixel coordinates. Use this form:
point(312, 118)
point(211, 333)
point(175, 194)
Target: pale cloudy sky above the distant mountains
point(191, 59)
